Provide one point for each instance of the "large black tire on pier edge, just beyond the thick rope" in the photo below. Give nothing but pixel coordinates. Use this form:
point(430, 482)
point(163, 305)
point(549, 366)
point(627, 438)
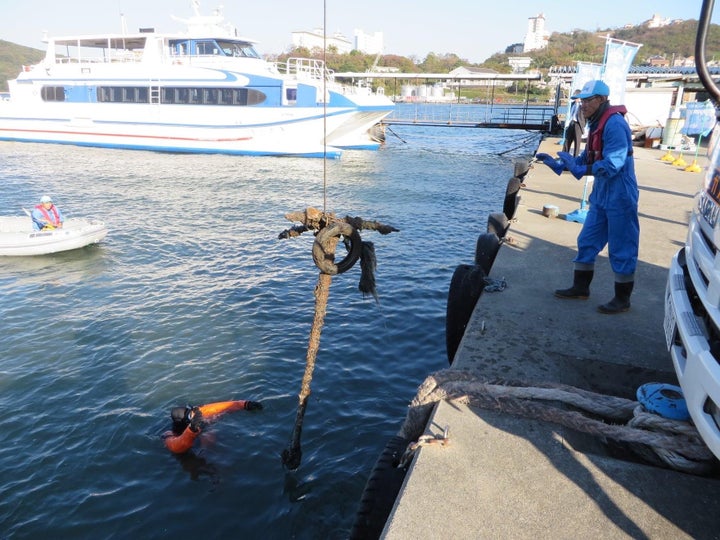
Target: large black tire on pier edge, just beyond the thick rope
point(466, 287)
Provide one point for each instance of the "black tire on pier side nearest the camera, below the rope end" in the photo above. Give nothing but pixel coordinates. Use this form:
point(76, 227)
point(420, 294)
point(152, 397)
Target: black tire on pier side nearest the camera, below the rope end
point(380, 491)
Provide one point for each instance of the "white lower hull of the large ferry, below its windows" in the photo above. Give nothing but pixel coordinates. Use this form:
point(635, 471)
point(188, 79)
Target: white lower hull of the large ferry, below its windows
point(173, 130)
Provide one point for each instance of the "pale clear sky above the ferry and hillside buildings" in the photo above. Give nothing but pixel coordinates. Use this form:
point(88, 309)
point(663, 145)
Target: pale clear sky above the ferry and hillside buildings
point(472, 29)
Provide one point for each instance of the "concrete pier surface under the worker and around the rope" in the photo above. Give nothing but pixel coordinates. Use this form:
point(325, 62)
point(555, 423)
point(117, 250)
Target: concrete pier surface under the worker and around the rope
point(503, 476)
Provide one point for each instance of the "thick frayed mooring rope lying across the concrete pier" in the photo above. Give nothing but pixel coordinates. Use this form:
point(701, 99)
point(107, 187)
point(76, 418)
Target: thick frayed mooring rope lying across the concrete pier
point(675, 443)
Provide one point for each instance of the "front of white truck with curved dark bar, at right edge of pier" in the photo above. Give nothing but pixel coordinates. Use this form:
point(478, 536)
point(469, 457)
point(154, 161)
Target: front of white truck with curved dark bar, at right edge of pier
point(692, 295)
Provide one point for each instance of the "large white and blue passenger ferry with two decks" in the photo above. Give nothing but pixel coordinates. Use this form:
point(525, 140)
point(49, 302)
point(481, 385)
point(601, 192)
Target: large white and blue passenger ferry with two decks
point(205, 91)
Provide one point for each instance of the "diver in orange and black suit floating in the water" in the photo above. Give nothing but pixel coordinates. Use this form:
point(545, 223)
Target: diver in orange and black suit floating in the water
point(189, 421)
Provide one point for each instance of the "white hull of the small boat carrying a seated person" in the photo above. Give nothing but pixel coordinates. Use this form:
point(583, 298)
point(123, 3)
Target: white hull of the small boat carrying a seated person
point(18, 239)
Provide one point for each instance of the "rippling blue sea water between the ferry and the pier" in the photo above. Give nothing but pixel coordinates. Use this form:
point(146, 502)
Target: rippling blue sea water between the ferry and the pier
point(193, 298)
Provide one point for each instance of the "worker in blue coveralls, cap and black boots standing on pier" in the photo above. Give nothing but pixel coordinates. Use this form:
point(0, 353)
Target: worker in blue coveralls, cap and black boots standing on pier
point(612, 218)
